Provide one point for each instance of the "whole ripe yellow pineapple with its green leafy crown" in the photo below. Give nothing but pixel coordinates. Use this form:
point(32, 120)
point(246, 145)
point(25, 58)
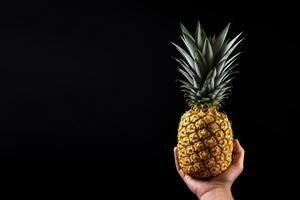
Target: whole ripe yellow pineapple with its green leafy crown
point(205, 137)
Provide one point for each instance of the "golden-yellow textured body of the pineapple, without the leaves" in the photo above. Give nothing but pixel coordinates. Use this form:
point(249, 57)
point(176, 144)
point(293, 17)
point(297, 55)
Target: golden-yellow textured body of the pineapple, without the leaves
point(205, 142)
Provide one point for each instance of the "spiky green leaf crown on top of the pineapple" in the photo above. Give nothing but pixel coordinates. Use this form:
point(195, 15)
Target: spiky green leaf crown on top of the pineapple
point(207, 65)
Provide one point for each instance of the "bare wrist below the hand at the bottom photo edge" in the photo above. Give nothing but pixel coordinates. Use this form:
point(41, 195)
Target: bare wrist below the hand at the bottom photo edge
point(220, 193)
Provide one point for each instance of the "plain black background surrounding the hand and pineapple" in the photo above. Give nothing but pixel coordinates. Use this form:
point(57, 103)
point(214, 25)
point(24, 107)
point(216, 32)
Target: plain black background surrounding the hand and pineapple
point(95, 83)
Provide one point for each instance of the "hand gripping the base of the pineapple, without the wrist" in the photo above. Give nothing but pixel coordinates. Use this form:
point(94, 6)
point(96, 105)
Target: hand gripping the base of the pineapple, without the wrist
point(219, 183)
